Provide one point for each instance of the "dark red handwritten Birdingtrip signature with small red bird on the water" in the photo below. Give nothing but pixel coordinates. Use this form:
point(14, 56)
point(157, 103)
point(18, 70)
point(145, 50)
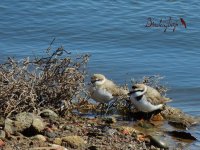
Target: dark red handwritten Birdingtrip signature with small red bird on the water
point(165, 23)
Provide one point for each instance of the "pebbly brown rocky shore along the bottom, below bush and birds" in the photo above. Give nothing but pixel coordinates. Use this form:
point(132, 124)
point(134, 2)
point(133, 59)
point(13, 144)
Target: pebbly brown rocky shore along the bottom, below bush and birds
point(46, 130)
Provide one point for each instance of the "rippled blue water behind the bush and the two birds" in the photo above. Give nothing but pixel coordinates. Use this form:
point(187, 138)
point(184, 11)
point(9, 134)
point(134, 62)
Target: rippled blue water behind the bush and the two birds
point(114, 33)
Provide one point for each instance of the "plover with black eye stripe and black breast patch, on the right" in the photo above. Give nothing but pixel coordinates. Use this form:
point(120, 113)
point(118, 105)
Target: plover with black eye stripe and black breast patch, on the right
point(147, 99)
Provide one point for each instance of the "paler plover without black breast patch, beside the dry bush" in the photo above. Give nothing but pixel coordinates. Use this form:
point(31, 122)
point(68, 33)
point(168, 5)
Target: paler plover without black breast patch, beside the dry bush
point(104, 91)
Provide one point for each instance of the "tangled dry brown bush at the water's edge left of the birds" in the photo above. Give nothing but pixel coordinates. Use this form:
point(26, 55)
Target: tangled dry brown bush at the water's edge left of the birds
point(51, 82)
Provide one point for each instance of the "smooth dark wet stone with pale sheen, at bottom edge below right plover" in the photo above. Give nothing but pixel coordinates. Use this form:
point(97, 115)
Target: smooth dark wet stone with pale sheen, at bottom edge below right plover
point(156, 141)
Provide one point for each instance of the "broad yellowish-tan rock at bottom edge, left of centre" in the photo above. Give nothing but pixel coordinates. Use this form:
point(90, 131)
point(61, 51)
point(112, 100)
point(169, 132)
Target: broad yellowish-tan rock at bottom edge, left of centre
point(74, 141)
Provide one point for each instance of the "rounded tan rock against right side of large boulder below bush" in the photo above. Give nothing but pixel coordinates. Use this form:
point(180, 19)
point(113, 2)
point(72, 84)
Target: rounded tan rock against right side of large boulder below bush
point(38, 124)
